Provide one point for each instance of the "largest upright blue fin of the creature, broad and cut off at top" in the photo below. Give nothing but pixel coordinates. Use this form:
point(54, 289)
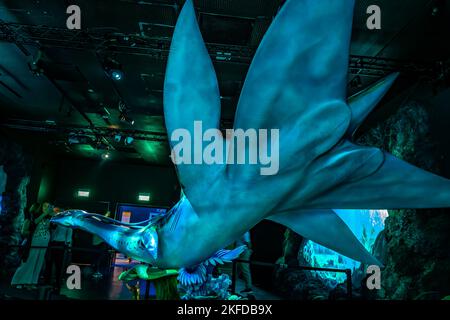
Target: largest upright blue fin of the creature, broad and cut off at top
point(297, 82)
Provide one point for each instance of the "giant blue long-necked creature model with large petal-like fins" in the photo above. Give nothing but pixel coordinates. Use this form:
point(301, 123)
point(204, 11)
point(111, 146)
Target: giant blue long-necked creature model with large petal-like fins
point(297, 83)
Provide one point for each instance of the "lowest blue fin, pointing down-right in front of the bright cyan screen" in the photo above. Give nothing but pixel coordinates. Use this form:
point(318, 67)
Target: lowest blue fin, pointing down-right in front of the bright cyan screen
point(326, 228)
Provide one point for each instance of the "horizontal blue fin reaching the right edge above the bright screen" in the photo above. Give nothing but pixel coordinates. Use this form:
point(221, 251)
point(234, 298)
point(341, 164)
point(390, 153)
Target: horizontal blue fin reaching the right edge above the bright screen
point(395, 185)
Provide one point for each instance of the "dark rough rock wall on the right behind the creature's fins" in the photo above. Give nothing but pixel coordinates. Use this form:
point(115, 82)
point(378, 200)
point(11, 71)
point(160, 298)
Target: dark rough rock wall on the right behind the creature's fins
point(414, 245)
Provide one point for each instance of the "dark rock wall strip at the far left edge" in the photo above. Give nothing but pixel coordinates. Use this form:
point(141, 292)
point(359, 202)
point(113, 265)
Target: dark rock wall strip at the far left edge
point(16, 166)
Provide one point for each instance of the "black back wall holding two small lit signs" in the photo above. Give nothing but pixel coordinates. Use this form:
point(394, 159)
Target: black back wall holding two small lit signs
point(107, 181)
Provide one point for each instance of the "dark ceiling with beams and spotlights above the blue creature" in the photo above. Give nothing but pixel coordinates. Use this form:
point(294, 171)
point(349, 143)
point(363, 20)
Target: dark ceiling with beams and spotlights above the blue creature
point(67, 104)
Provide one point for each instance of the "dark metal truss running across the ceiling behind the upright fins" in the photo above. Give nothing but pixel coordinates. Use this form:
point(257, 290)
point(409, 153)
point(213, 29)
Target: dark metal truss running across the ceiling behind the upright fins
point(43, 36)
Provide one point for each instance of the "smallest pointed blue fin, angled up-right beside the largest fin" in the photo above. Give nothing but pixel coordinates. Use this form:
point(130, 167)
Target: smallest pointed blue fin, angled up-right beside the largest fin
point(365, 101)
